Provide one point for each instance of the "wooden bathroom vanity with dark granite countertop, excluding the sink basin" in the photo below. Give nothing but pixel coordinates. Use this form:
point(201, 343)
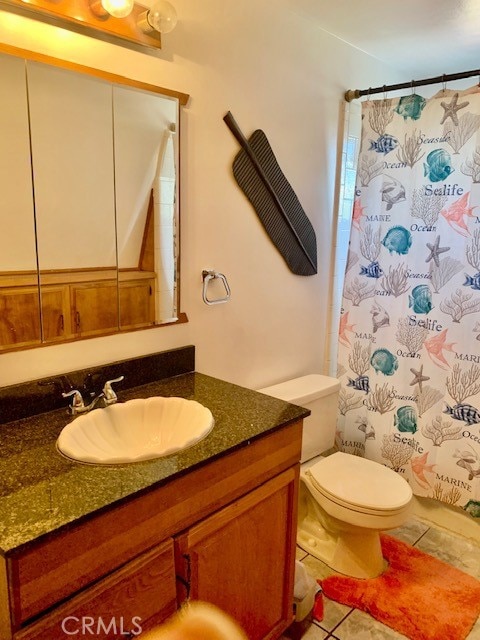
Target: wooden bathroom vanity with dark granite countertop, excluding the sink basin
point(113, 550)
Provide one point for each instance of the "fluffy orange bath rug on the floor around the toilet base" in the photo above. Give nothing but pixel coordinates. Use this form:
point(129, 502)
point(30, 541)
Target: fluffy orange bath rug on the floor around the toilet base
point(419, 596)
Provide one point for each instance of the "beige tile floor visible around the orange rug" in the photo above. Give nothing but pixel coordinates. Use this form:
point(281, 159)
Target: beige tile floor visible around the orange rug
point(343, 623)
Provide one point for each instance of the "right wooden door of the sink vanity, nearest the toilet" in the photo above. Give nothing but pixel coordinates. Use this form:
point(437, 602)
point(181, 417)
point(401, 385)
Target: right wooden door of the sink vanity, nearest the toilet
point(242, 558)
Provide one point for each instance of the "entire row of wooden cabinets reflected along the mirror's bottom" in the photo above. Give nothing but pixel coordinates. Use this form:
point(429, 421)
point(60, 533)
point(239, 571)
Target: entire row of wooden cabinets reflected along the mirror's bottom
point(73, 304)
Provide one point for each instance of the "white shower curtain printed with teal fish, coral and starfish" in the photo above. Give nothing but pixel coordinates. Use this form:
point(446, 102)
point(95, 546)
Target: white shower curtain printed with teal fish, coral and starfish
point(409, 339)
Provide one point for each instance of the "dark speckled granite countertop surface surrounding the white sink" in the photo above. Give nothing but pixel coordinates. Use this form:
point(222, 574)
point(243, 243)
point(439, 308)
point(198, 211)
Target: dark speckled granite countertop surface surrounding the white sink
point(41, 491)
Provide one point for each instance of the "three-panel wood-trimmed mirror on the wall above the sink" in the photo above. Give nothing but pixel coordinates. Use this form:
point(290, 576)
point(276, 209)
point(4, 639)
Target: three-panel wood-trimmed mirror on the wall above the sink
point(88, 203)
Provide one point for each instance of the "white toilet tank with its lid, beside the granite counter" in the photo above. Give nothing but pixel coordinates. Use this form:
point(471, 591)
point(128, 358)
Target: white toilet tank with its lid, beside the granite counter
point(319, 394)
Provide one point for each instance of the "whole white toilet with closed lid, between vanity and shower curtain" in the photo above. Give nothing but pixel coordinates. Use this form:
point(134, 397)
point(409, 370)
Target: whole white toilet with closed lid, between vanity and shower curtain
point(344, 501)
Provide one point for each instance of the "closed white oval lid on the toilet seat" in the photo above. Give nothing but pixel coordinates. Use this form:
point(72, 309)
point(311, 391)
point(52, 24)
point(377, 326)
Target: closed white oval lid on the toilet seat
point(360, 482)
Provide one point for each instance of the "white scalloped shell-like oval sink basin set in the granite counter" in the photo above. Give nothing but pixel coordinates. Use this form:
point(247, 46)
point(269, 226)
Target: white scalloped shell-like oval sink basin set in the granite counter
point(141, 429)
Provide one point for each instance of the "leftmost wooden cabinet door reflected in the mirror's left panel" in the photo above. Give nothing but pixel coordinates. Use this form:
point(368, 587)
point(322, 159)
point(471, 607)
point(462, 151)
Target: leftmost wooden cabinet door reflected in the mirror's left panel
point(19, 316)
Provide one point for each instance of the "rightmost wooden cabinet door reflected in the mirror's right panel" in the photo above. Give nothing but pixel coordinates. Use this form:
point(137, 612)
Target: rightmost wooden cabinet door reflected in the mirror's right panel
point(137, 303)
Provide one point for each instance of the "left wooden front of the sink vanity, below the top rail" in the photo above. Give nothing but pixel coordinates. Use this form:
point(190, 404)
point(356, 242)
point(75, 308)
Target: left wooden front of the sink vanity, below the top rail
point(133, 598)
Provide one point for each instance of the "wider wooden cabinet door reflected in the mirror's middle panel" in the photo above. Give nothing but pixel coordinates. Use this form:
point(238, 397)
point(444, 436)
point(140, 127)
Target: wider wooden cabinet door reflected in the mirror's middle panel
point(94, 307)
